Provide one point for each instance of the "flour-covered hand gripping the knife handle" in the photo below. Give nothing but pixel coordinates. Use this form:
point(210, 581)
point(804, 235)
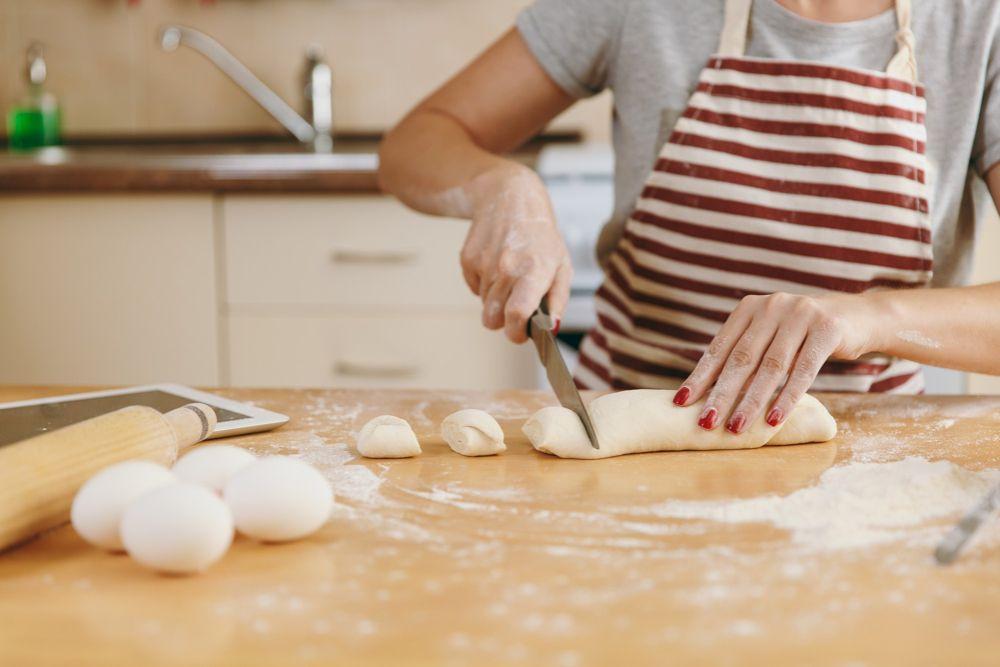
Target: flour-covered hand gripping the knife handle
point(514, 254)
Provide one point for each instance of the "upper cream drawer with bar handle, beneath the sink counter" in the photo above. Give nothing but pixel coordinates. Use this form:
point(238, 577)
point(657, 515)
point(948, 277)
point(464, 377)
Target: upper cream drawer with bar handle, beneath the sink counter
point(341, 250)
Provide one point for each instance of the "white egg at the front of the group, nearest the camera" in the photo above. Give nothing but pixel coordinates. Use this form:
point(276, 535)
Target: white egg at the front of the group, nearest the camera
point(181, 528)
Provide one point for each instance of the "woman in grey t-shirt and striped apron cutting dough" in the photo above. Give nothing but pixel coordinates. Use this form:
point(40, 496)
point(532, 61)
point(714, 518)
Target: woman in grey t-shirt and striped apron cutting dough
point(779, 210)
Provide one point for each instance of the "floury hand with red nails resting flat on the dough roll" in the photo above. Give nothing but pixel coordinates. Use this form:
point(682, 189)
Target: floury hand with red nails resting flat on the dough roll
point(766, 340)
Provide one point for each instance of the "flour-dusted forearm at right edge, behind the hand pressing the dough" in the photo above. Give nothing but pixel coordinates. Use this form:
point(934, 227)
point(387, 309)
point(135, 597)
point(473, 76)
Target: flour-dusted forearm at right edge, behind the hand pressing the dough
point(951, 327)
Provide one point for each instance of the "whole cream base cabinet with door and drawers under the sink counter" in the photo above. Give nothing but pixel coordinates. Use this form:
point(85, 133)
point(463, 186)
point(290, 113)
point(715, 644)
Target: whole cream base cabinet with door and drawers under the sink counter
point(244, 290)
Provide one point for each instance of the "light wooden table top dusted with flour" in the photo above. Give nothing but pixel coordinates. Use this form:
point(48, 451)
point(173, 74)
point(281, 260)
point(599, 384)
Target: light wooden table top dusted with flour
point(528, 559)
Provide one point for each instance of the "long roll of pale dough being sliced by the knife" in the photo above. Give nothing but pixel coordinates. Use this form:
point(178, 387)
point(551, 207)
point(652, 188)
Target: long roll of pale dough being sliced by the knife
point(646, 420)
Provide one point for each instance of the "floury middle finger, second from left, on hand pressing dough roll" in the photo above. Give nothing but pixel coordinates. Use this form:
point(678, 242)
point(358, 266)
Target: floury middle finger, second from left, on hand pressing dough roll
point(742, 362)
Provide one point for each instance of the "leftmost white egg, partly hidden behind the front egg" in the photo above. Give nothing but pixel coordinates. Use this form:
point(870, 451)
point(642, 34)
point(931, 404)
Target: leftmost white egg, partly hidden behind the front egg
point(99, 504)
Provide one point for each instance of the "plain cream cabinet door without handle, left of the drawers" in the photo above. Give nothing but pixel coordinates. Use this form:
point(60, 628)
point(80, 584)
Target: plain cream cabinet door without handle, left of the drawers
point(107, 289)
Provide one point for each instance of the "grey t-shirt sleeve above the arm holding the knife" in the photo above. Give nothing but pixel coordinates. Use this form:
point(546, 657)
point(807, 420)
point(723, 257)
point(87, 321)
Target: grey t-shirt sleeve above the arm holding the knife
point(574, 41)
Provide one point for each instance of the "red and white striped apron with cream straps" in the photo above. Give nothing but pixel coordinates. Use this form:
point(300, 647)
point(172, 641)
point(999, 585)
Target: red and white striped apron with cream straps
point(780, 176)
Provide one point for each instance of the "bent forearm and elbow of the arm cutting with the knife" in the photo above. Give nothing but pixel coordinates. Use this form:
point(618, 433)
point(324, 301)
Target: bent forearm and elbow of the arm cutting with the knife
point(432, 164)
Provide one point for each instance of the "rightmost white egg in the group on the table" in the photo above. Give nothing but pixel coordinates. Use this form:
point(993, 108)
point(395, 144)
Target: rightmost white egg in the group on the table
point(277, 499)
